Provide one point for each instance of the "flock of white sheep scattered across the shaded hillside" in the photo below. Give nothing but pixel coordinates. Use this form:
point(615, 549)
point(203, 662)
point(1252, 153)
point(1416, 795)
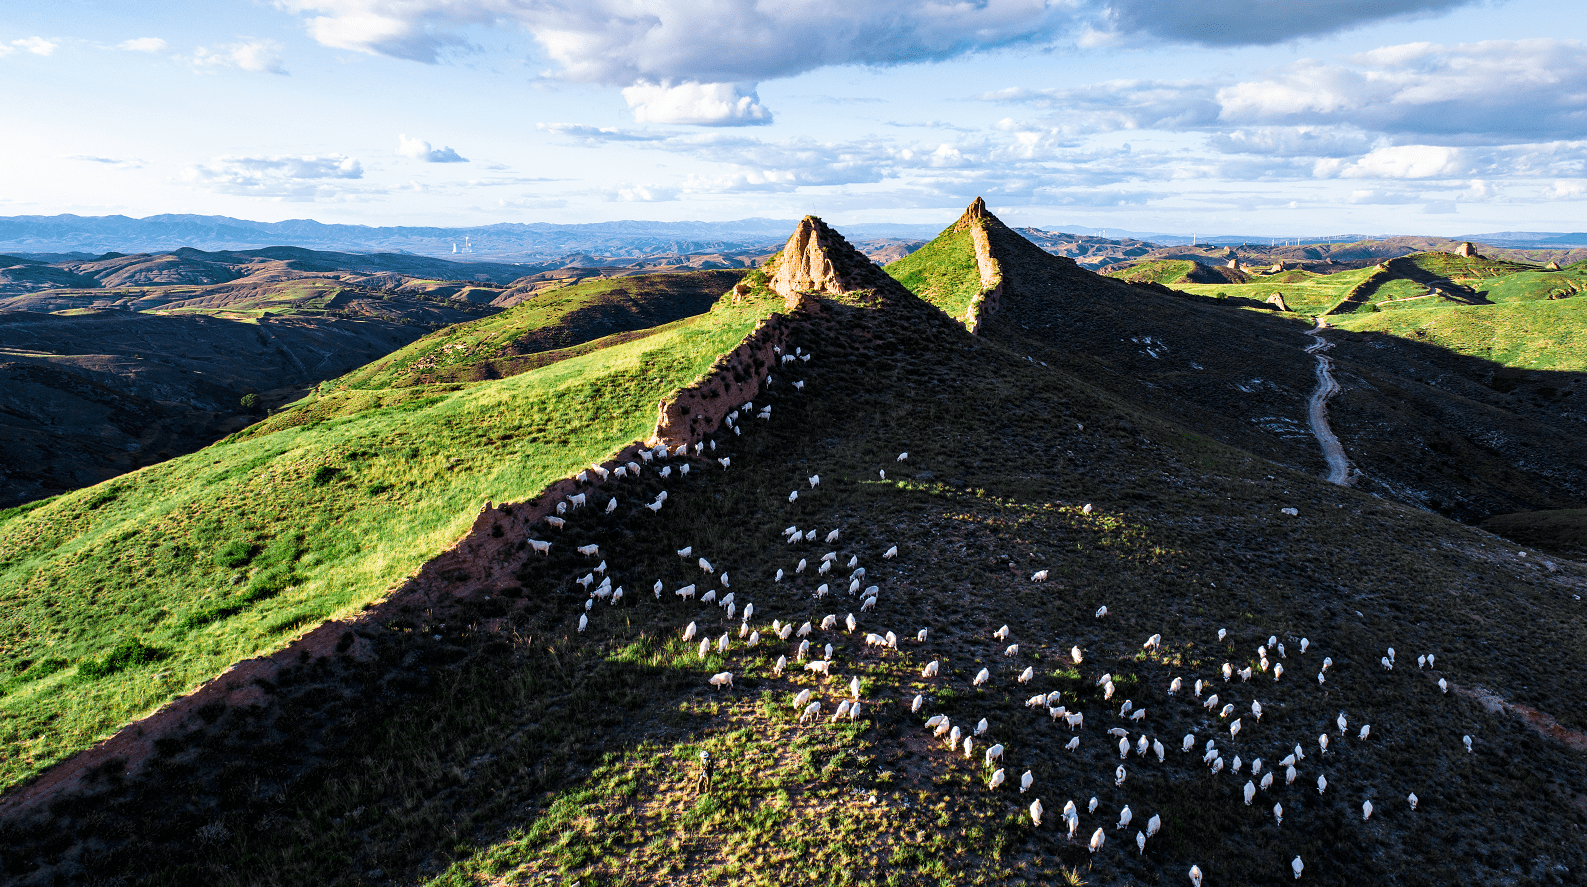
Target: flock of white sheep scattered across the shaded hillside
point(1232, 699)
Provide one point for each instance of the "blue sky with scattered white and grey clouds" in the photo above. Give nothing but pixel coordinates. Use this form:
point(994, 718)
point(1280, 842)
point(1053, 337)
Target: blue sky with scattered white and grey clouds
point(1275, 118)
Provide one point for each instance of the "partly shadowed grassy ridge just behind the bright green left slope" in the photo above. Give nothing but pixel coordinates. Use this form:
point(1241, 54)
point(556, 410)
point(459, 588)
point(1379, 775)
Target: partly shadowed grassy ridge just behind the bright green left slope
point(517, 340)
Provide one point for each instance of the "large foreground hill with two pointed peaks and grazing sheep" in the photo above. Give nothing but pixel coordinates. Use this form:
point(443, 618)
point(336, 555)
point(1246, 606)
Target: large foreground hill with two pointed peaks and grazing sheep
point(1040, 507)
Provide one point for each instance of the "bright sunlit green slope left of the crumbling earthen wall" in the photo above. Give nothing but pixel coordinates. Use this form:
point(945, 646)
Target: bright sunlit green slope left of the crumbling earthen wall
point(117, 597)
